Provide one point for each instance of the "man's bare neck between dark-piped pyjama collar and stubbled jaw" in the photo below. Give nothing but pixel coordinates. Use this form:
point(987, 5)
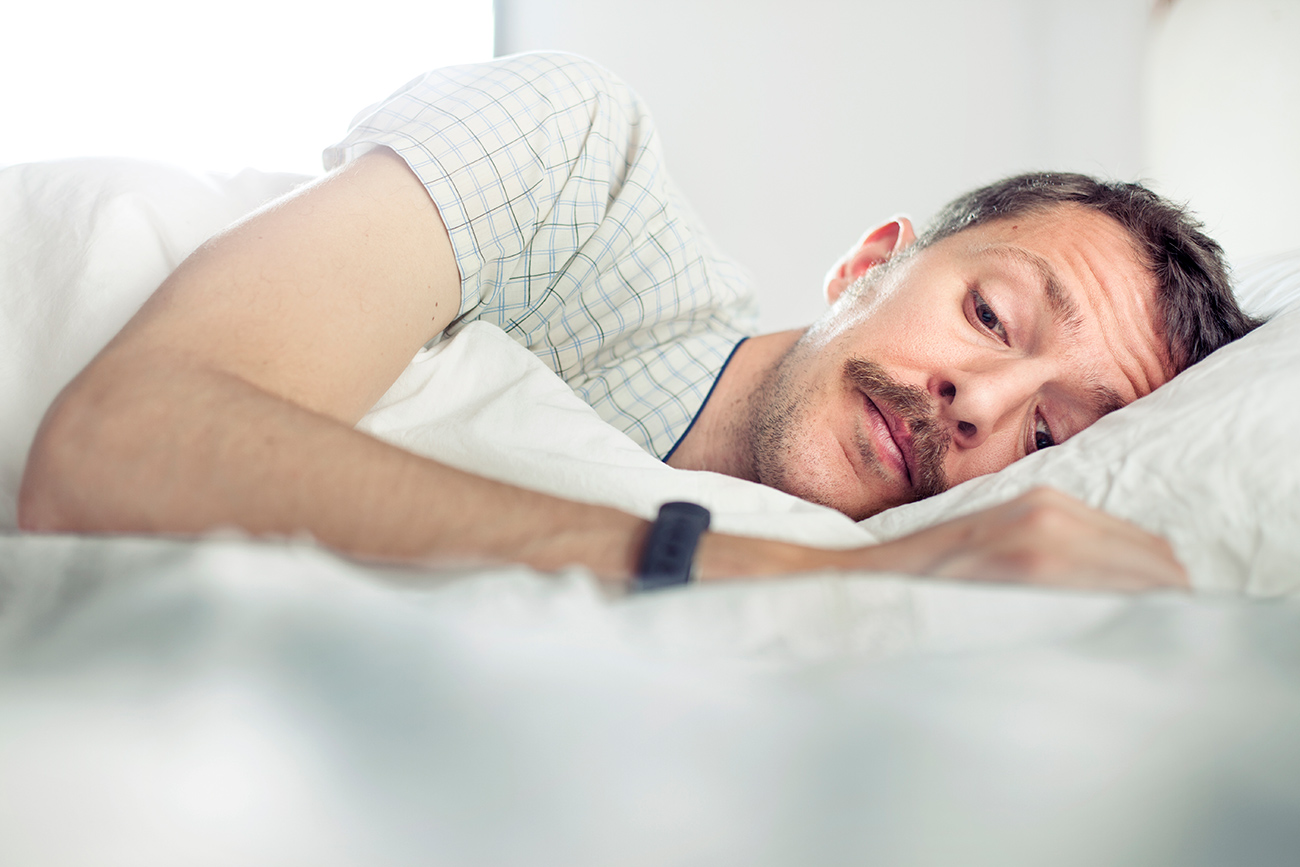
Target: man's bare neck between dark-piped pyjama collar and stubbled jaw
point(720, 440)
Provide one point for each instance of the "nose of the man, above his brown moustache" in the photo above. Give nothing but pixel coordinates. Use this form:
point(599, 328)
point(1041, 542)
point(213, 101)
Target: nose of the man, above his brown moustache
point(976, 404)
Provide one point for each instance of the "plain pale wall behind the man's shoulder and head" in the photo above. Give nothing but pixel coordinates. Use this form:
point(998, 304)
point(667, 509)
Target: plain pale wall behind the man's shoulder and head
point(794, 127)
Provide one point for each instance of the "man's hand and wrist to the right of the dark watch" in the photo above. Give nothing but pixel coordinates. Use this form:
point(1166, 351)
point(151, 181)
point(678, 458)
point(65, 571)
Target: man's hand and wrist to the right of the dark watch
point(1043, 537)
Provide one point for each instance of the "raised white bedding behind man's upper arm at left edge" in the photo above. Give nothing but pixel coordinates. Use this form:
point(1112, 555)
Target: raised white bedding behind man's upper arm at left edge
point(83, 245)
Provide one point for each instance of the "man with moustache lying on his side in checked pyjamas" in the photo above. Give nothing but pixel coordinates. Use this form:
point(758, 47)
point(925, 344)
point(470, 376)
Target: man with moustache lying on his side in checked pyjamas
point(530, 193)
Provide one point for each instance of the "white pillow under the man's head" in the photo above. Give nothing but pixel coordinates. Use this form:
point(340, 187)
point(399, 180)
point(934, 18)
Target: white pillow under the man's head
point(1210, 461)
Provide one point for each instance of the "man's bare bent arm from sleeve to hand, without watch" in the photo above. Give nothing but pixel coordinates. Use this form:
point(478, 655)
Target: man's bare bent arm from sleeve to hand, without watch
point(229, 401)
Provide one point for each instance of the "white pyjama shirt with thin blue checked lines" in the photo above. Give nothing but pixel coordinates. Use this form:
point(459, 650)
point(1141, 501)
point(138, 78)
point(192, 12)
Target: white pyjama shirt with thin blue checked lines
point(569, 233)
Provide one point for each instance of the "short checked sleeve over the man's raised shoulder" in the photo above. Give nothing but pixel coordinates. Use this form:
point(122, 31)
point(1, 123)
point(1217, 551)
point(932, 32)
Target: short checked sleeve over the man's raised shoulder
point(499, 146)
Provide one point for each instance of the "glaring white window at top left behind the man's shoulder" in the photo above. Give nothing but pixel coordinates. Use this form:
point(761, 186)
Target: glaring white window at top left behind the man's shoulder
point(263, 84)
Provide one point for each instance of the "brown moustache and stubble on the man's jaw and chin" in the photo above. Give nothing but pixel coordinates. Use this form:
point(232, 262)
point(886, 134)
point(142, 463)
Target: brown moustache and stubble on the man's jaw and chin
point(779, 432)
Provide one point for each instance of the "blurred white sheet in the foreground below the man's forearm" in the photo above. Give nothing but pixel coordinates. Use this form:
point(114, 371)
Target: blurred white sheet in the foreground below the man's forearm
point(232, 703)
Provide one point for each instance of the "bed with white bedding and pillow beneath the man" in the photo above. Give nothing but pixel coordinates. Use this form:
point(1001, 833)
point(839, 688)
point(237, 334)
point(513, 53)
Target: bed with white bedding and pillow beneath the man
point(229, 700)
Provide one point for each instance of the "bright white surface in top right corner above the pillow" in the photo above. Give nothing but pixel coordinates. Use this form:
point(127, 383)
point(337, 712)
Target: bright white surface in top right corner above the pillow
point(1223, 120)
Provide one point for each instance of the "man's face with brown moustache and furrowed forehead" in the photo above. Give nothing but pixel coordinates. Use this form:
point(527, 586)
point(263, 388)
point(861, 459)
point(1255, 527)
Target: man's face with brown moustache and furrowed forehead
point(960, 359)
